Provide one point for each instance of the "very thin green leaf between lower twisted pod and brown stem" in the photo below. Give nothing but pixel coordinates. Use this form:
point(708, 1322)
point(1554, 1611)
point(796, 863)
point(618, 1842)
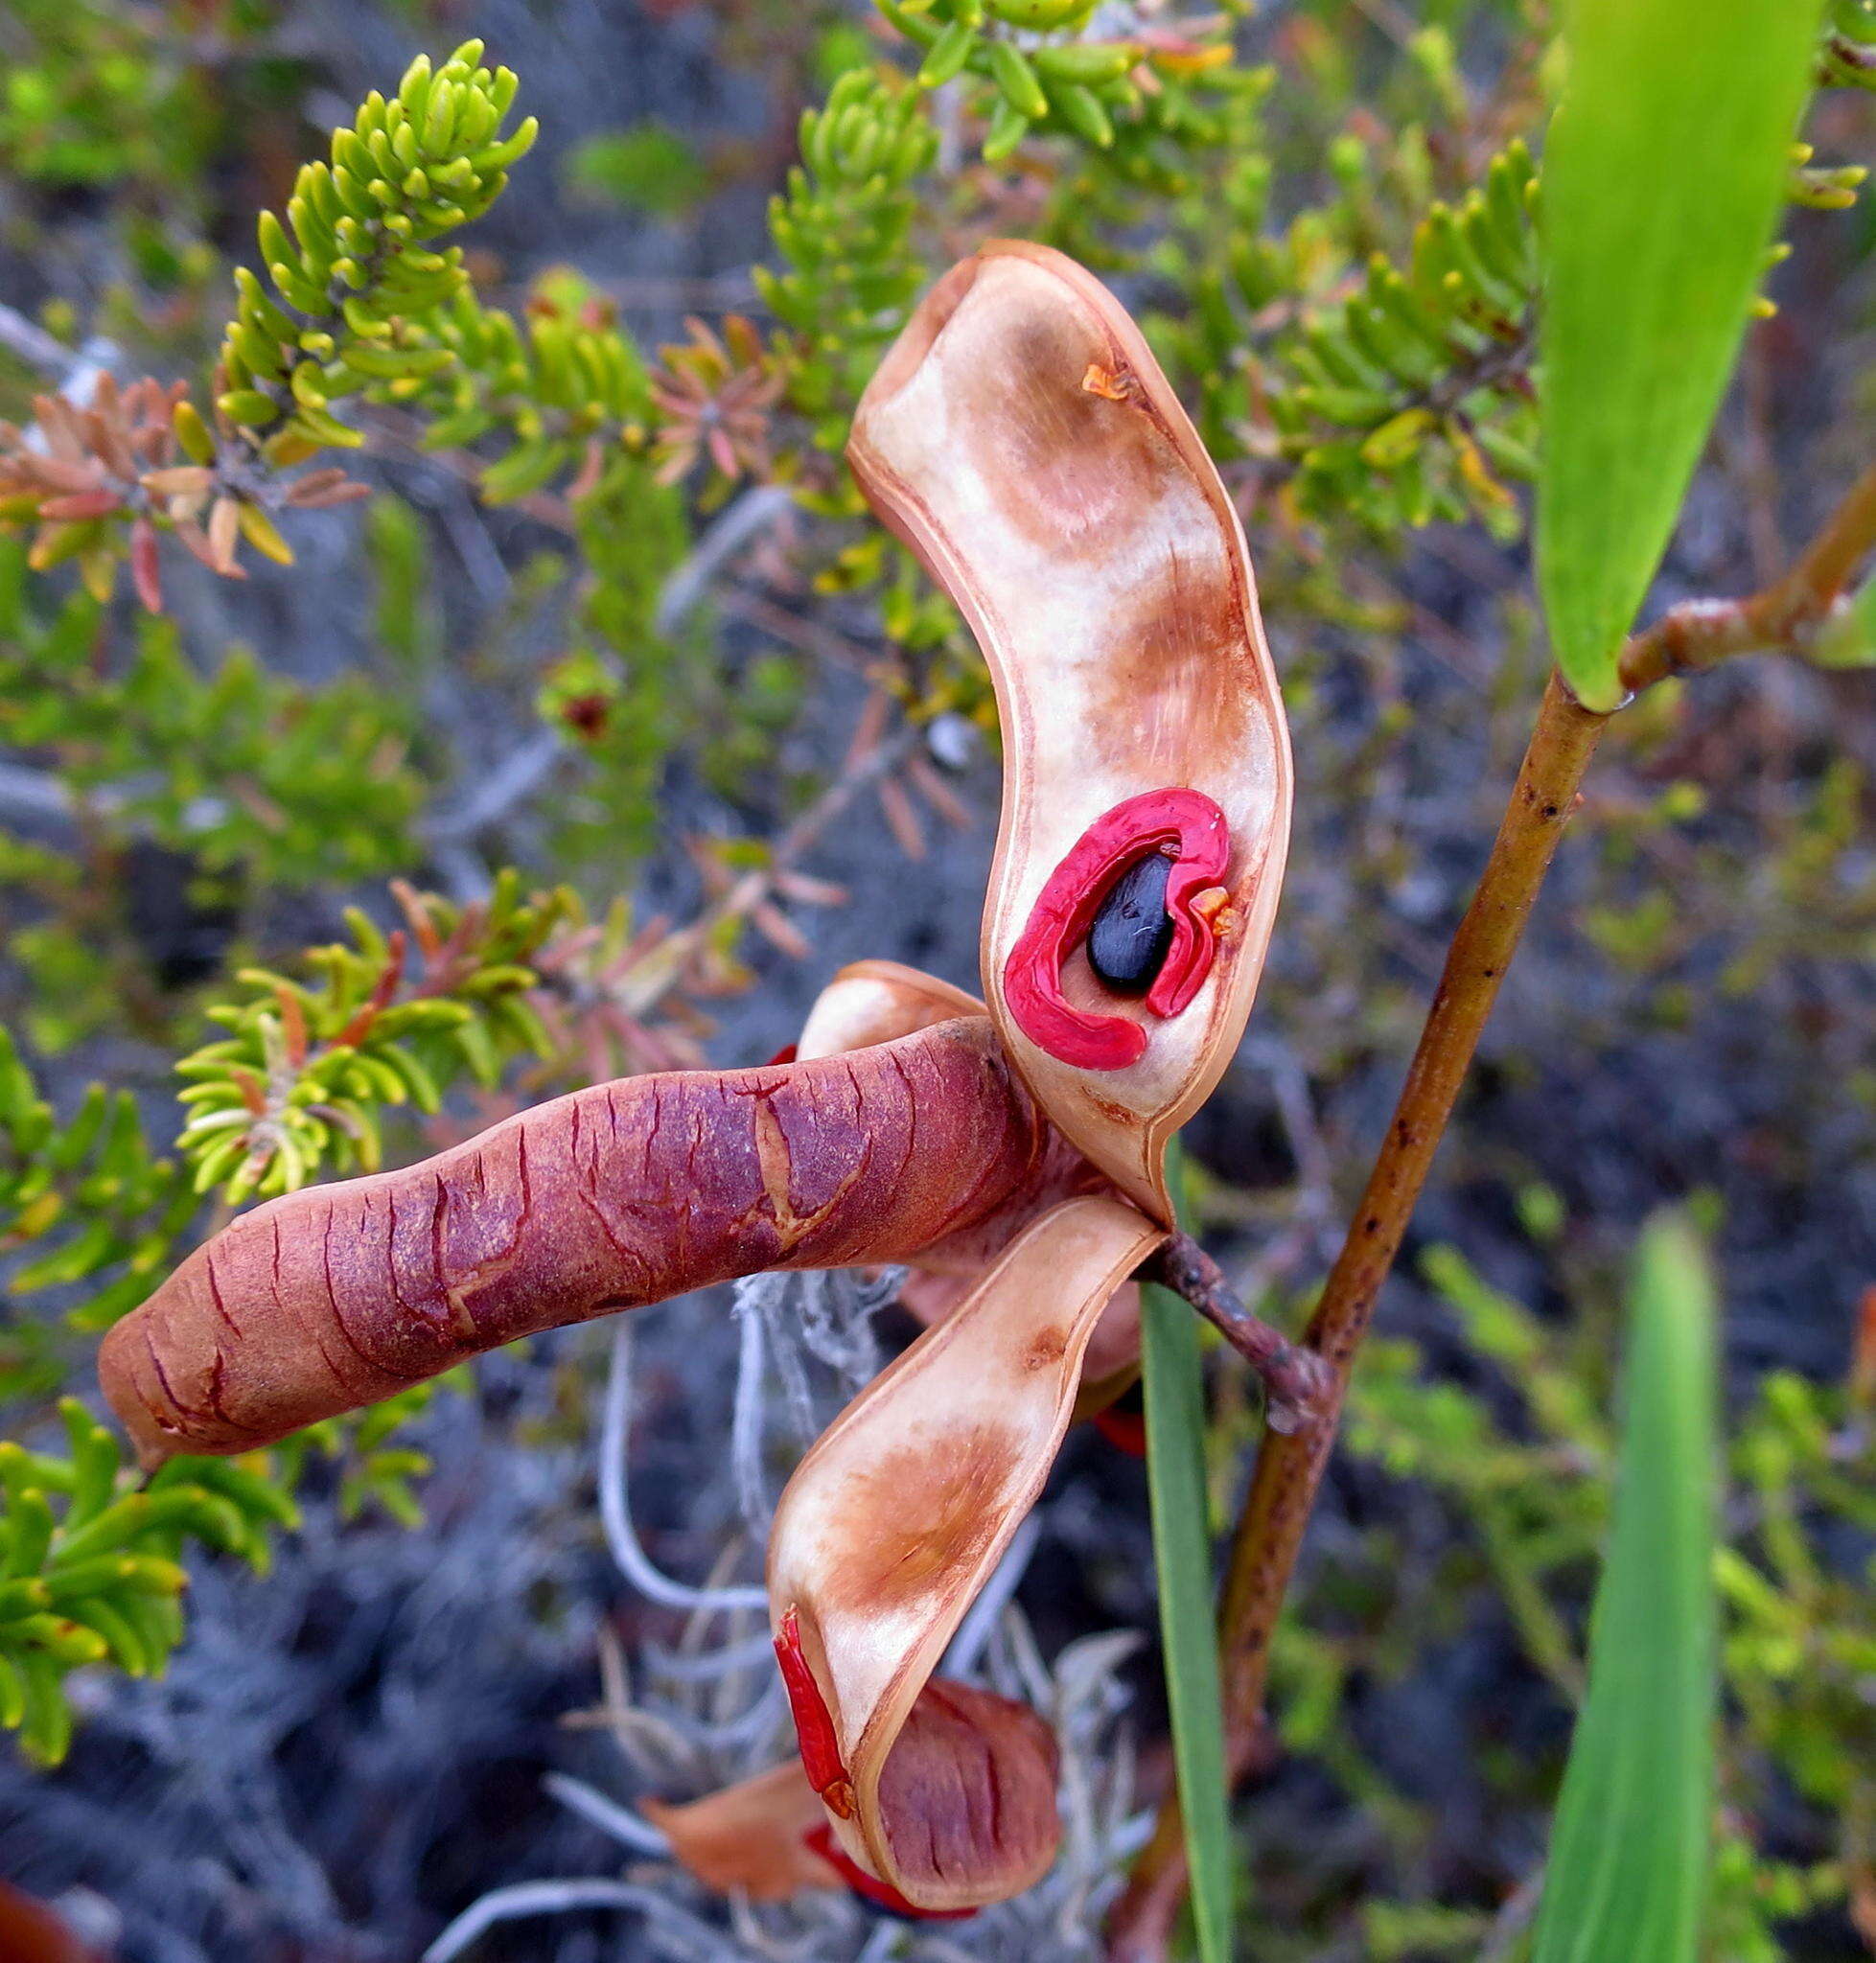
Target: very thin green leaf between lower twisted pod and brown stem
point(1174, 1391)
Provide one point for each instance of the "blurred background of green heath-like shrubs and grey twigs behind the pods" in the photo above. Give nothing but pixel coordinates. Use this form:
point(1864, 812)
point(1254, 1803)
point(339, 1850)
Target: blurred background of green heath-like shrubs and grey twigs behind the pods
point(490, 682)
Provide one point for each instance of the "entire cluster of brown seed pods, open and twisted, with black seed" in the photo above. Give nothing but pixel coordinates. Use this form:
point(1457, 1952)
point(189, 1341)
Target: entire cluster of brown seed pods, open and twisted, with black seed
point(1023, 441)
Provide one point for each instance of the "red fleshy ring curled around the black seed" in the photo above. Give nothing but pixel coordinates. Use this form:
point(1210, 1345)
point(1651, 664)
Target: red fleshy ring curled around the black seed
point(1190, 829)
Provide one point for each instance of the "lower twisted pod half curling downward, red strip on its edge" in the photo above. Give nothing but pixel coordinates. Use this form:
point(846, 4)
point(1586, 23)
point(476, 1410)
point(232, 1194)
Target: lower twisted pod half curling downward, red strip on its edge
point(886, 1536)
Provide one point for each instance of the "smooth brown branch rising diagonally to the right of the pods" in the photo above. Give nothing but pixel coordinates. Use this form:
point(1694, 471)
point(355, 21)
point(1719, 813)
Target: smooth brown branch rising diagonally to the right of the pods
point(1290, 1467)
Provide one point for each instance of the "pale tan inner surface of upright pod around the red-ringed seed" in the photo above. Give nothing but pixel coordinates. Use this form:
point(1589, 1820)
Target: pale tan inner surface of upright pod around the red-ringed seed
point(1102, 566)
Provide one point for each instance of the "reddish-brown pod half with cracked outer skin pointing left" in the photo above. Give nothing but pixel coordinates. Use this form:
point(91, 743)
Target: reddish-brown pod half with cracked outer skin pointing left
point(611, 1198)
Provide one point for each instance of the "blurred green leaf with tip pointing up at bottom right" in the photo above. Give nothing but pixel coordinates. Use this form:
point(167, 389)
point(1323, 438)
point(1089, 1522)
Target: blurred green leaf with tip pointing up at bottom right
point(1634, 1829)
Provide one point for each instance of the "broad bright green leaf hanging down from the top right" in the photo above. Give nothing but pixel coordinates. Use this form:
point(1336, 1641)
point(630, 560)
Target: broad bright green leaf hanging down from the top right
point(1663, 182)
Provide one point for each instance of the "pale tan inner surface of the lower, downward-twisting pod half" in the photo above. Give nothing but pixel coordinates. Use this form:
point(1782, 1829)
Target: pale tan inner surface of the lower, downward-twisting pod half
point(898, 1516)
